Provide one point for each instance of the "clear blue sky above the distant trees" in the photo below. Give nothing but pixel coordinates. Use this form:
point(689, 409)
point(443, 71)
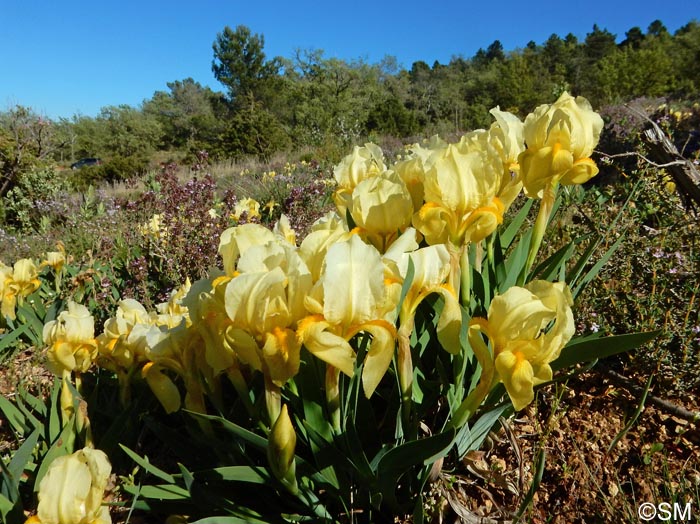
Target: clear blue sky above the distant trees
point(73, 57)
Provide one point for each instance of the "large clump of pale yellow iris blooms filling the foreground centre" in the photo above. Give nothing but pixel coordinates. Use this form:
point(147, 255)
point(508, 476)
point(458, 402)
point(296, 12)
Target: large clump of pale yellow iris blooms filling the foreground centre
point(348, 281)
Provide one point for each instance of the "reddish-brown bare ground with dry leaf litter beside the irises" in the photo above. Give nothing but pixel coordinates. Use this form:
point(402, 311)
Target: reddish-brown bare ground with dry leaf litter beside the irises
point(585, 480)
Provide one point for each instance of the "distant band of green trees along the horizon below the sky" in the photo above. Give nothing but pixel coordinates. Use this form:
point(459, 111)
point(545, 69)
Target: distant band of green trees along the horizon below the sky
point(311, 100)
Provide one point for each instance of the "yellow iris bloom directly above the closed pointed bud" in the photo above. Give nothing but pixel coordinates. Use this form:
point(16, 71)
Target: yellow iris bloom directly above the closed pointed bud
point(247, 316)
